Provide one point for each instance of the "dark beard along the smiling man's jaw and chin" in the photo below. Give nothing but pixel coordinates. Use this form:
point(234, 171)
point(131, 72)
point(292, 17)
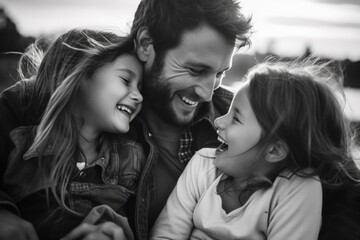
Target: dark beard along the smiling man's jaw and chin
point(157, 95)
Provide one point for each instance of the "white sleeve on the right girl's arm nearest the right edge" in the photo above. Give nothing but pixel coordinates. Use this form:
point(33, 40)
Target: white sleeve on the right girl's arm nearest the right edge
point(296, 213)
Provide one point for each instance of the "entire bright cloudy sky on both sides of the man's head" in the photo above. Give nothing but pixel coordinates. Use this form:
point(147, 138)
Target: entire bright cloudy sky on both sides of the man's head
point(331, 28)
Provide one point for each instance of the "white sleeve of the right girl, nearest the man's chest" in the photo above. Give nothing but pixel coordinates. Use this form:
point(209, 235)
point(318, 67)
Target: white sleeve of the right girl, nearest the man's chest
point(176, 219)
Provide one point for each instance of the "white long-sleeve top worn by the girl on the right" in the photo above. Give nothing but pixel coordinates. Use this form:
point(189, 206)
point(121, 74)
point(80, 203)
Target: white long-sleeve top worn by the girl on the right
point(289, 209)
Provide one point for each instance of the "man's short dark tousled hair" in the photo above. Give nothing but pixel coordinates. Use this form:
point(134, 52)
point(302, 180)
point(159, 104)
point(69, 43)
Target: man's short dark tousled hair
point(167, 20)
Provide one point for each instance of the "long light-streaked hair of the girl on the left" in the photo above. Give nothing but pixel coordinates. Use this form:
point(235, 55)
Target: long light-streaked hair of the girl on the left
point(73, 57)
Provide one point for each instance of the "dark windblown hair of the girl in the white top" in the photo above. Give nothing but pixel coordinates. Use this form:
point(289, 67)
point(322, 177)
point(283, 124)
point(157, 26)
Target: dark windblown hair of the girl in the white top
point(301, 103)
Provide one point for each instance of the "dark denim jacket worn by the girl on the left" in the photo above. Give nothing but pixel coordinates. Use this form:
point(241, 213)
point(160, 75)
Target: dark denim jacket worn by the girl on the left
point(109, 181)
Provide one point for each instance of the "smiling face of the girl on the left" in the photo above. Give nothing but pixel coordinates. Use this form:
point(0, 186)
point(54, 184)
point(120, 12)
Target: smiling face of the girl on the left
point(111, 98)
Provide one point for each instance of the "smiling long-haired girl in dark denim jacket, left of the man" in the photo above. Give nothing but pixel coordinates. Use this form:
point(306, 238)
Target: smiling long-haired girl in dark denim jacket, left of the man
point(76, 158)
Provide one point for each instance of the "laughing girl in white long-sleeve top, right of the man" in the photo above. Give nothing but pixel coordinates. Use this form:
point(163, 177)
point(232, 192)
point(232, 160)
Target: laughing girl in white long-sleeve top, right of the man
point(284, 135)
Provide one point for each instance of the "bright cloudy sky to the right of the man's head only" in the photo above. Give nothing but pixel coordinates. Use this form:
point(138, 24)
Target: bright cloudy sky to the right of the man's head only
point(329, 27)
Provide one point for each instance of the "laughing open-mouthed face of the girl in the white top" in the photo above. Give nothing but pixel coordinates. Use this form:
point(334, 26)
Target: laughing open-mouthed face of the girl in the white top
point(240, 132)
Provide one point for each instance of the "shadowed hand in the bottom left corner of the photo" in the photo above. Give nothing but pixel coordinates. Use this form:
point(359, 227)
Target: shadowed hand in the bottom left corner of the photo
point(15, 228)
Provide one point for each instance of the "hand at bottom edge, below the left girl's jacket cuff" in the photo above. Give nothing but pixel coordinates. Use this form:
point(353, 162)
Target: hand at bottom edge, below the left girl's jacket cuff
point(103, 231)
